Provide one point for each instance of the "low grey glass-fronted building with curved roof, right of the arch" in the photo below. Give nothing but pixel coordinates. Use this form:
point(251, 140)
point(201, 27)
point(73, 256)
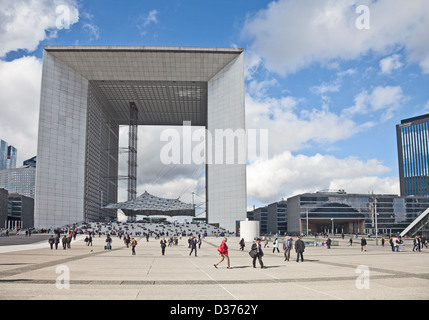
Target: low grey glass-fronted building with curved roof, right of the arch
point(327, 212)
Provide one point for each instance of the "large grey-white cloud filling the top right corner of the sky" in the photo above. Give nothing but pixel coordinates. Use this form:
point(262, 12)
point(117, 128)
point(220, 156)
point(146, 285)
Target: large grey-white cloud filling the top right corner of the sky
point(292, 35)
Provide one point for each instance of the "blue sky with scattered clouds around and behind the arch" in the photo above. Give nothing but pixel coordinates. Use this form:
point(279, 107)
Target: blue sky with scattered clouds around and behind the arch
point(329, 92)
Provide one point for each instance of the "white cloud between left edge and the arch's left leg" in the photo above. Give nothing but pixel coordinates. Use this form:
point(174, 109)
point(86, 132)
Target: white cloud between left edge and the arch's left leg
point(20, 82)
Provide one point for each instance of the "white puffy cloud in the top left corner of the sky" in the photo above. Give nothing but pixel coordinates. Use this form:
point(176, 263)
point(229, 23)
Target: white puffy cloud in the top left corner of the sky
point(25, 23)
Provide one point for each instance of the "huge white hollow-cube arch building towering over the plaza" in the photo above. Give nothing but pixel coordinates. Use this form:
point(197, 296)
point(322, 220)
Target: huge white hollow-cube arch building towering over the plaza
point(85, 96)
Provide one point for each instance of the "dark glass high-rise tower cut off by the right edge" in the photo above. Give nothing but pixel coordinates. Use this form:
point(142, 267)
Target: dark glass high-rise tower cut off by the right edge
point(413, 154)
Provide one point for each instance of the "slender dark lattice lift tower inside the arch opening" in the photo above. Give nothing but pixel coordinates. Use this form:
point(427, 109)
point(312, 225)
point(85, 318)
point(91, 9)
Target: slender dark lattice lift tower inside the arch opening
point(132, 153)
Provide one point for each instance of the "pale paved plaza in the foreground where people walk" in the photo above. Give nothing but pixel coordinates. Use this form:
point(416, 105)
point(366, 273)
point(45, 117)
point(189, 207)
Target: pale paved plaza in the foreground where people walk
point(34, 271)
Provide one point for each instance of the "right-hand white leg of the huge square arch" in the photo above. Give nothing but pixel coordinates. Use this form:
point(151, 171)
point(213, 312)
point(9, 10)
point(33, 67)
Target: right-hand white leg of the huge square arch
point(225, 181)
